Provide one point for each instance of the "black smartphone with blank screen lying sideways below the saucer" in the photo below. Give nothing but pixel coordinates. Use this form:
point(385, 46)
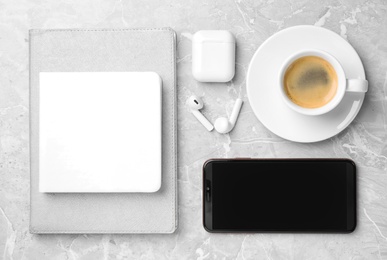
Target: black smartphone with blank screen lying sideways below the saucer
point(279, 195)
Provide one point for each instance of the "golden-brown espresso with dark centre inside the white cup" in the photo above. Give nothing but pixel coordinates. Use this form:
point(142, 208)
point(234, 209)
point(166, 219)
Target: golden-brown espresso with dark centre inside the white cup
point(310, 82)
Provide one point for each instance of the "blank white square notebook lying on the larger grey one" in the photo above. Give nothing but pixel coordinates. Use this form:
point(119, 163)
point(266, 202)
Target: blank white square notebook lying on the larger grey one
point(100, 131)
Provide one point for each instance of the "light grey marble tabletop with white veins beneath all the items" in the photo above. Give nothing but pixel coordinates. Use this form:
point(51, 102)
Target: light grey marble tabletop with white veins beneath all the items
point(362, 22)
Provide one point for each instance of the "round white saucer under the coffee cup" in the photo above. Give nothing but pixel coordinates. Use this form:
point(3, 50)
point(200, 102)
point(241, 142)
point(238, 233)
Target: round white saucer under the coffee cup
point(268, 105)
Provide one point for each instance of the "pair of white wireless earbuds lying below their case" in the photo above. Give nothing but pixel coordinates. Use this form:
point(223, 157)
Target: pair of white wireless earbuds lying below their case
point(223, 125)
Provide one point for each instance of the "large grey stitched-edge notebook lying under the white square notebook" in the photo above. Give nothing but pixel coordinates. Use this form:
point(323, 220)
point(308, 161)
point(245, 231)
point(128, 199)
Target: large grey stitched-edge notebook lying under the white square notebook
point(106, 50)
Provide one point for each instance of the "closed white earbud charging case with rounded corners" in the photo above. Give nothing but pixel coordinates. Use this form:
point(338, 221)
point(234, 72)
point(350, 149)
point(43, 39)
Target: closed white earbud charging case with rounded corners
point(213, 56)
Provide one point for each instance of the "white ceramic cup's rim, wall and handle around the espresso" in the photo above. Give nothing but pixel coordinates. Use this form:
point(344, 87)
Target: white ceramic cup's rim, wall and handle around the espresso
point(343, 84)
